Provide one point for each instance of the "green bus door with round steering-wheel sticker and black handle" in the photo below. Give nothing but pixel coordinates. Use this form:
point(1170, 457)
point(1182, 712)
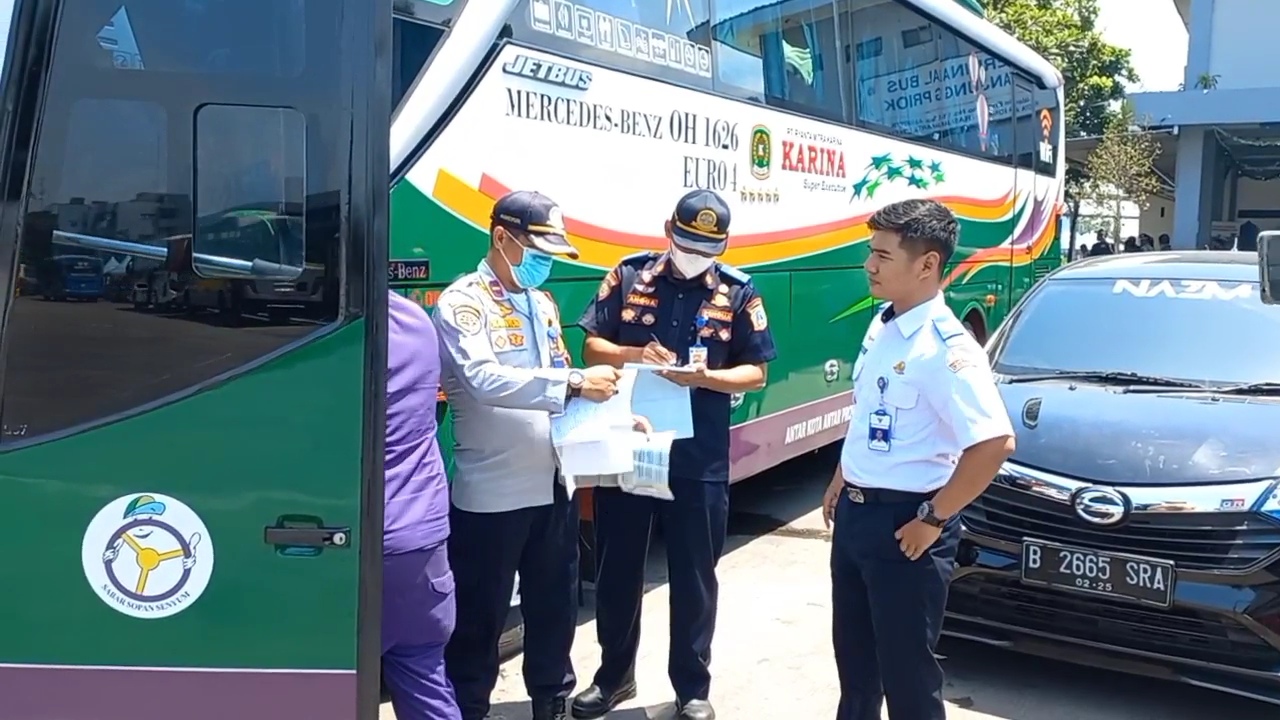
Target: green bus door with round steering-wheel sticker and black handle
point(195, 509)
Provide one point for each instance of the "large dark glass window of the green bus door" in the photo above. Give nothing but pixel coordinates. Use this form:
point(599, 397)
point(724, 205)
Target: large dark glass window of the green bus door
point(112, 177)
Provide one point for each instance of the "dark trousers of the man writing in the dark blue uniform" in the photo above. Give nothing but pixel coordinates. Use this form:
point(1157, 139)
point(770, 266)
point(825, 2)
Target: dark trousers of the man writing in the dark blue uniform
point(694, 525)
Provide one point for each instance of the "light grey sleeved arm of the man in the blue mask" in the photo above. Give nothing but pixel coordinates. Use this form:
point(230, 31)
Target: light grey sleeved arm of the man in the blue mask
point(465, 348)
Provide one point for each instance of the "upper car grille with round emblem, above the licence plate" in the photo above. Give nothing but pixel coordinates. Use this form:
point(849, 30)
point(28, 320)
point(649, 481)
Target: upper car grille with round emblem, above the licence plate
point(1197, 541)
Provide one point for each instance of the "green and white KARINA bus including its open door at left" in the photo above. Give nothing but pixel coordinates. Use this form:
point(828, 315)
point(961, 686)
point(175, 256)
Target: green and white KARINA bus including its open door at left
point(221, 484)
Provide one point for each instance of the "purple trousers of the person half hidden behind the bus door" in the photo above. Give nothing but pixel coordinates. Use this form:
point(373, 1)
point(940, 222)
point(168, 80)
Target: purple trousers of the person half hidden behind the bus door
point(418, 621)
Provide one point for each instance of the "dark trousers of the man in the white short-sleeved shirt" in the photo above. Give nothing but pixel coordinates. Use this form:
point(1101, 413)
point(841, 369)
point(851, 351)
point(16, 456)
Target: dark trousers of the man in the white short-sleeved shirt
point(888, 610)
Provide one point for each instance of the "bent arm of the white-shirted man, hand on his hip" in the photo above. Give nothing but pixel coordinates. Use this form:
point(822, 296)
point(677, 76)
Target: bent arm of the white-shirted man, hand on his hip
point(970, 402)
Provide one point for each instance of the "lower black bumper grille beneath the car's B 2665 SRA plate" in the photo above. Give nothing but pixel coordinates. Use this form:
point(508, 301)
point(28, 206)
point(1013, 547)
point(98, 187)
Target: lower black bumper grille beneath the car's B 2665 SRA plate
point(1190, 635)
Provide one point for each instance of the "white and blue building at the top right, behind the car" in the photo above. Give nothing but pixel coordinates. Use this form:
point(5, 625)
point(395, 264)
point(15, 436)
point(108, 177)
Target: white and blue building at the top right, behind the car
point(1222, 131)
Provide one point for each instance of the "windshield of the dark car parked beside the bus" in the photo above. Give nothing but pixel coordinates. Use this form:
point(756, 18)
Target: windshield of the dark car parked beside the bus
point(1201, 331)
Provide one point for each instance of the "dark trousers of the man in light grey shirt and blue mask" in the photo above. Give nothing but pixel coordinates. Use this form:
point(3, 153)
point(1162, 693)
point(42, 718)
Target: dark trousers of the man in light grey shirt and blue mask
point(487, 550)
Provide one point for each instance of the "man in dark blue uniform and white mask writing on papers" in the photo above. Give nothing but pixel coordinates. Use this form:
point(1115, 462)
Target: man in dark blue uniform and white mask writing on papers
point(682, 308)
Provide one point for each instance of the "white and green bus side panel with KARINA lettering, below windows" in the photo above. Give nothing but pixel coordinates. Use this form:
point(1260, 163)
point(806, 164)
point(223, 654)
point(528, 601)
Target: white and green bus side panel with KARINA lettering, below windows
point(801, 206)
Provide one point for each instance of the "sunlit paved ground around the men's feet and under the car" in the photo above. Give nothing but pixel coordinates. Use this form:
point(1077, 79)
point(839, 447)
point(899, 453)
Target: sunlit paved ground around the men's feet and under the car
point(772, 655)
